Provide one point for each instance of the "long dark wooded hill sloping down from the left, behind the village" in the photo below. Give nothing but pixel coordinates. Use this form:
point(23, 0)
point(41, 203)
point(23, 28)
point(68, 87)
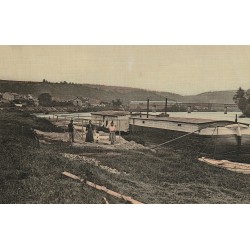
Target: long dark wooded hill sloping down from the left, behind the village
point(68, 91)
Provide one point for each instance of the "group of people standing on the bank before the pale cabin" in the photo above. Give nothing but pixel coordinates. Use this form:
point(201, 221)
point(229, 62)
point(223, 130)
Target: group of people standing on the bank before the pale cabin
point(90, 130)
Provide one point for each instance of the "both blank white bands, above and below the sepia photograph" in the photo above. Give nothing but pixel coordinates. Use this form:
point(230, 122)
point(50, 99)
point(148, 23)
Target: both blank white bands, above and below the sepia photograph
point(124, 22)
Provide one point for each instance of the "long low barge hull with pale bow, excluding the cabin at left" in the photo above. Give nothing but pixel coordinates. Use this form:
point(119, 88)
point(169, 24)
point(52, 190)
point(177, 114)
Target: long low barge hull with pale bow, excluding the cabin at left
point(225, 132)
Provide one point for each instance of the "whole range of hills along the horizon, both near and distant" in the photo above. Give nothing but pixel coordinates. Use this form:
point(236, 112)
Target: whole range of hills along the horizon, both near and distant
point(69, 91)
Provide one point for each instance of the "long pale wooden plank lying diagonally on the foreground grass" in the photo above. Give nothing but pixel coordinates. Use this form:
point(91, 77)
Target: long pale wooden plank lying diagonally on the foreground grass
point(102, 188)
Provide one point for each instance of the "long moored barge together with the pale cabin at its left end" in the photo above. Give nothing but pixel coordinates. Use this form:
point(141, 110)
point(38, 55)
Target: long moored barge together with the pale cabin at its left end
point(223, 131)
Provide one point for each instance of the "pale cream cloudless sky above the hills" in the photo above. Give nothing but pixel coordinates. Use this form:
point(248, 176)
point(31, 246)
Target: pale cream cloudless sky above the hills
point(179, 69)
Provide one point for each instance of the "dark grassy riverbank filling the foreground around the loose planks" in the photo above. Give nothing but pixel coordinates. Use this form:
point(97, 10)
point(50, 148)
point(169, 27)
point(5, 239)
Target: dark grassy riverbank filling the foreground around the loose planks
point(31, 173)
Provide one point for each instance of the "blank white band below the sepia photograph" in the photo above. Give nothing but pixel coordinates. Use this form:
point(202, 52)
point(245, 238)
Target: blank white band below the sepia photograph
point(124, 227)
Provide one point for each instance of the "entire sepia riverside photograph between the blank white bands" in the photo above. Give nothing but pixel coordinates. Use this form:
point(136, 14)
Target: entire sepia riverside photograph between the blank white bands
point(124, 124)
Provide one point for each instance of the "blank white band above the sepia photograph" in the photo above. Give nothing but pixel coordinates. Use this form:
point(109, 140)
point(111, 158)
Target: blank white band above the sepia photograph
point(125, 22)
